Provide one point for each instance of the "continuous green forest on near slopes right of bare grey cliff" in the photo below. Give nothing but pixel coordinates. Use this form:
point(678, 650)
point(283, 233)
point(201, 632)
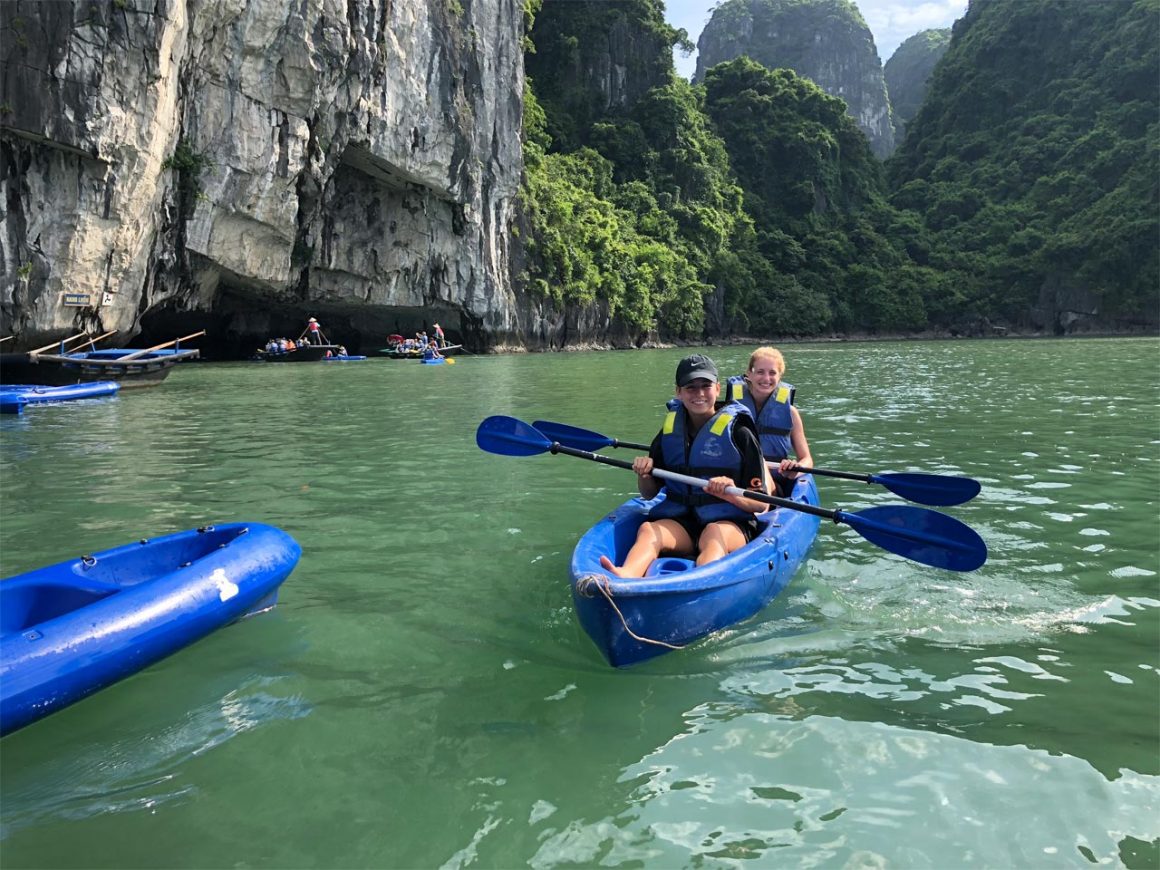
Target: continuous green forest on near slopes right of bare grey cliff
point(1026, 192)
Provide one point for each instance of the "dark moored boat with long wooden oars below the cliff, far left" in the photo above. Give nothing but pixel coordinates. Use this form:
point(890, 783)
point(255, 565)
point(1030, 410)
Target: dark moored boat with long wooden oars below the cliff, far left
point(129, 367)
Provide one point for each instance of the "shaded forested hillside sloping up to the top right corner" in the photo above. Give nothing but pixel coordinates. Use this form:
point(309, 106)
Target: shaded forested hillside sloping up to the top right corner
point(1035, 161)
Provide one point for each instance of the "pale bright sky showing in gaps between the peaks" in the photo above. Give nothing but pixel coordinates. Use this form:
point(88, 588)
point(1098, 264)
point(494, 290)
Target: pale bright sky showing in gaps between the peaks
point(891, 23)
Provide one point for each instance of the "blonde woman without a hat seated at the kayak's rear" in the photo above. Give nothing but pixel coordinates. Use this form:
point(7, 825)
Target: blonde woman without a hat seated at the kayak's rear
point(771, 401)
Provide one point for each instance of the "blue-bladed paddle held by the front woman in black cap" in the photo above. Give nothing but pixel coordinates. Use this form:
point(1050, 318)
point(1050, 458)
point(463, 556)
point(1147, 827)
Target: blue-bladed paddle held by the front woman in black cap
point(924, 536)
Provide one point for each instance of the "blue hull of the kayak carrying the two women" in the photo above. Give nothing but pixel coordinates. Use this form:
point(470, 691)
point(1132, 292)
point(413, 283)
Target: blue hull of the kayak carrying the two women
point(679, 603)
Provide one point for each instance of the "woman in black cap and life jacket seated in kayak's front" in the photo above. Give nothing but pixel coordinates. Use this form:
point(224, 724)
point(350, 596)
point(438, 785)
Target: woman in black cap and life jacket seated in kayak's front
point(698, 440)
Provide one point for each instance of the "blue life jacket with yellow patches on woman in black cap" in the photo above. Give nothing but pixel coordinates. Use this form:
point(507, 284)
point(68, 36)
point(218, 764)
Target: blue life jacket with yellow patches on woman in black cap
point(712, 454)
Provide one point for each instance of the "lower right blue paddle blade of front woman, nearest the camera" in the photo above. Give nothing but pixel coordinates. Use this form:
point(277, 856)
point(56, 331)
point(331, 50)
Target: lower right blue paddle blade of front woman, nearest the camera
point(924, 536)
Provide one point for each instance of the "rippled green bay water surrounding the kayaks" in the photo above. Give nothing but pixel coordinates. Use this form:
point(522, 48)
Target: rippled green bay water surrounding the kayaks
point(423, 697)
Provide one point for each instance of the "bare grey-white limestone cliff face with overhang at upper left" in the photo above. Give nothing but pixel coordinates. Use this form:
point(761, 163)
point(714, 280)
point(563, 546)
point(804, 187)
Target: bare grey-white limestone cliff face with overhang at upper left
point(245, 164)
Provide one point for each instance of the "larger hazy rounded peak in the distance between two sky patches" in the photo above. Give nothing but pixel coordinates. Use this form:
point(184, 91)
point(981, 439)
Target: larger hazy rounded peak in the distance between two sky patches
point(825, 41)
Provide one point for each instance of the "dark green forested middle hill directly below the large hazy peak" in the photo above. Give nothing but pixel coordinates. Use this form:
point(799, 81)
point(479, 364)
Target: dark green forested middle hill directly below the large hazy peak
point(831, 252)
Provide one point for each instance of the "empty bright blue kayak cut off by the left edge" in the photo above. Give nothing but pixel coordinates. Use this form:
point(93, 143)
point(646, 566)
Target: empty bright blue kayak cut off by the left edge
point(71, 629)
